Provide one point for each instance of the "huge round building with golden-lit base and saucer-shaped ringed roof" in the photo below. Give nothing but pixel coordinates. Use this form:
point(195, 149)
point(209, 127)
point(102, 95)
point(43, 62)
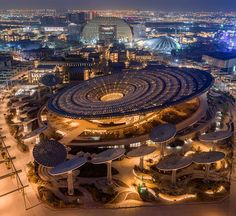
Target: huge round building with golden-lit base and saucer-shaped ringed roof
point(122, 109)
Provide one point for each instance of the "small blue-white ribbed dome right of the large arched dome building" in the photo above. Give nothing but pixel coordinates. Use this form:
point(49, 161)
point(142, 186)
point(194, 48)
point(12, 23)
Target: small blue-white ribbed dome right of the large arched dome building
point(163, 44)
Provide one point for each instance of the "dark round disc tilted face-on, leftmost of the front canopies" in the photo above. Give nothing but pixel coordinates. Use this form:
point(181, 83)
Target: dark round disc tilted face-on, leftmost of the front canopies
point(49, 153)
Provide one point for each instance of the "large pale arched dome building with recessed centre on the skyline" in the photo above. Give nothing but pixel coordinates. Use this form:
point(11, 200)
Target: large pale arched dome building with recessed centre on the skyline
point(106, 29)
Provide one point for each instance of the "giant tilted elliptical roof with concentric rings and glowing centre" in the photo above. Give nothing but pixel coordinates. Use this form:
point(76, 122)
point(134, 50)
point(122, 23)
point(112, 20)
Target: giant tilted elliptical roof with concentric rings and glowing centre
point(142, 92)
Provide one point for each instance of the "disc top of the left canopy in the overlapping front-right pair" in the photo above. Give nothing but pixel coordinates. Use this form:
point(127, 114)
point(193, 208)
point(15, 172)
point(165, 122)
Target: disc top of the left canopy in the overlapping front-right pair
point(174, 163)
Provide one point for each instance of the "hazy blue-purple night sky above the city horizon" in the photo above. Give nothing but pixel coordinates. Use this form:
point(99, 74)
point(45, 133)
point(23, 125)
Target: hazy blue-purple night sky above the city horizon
point(168, 5)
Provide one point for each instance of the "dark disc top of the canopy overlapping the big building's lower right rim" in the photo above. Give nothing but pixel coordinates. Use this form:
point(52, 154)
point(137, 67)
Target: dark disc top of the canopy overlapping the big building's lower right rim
point(163, 133)
